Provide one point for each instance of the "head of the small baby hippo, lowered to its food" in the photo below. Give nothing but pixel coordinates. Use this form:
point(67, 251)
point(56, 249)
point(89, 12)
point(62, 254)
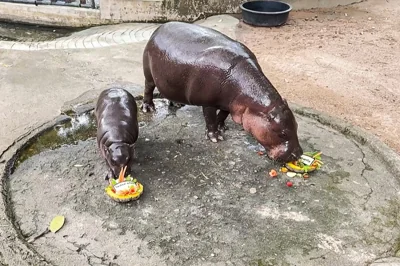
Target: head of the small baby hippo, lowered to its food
point(119, 155)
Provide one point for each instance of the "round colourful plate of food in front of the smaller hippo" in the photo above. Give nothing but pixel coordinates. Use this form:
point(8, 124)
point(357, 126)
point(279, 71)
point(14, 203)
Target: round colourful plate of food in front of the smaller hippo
point(124, 189)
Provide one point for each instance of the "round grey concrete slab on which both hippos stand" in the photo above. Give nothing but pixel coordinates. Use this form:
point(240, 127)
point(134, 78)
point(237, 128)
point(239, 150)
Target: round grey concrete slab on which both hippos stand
point(197, 208)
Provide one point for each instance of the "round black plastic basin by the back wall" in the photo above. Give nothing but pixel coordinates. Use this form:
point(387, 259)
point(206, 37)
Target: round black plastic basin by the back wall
point(265, 13)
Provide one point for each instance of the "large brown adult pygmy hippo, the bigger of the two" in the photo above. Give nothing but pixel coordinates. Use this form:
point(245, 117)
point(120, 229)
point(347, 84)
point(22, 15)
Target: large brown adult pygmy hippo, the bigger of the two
point(194, 65)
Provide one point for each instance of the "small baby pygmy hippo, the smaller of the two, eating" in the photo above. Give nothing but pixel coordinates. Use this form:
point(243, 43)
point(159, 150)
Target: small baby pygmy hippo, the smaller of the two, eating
point(117, 129)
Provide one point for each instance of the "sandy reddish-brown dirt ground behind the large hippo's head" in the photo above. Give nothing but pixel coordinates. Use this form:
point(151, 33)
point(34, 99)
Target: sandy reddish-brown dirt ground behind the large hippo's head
point(341, 61)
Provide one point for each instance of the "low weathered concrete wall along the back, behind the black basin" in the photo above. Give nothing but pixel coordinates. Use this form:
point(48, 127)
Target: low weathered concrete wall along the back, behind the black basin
point(116, 11)
